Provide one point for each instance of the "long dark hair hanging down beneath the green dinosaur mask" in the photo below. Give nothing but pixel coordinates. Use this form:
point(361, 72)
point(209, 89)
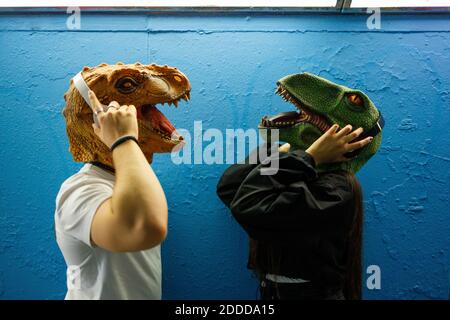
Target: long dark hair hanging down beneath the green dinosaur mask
point(262, 255)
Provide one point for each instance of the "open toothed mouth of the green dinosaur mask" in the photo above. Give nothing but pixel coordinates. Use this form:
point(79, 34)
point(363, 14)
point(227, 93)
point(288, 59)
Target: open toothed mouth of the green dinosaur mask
point(292, 118)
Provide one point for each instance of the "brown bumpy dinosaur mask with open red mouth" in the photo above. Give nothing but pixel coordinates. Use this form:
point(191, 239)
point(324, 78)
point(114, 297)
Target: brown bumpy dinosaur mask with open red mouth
point(143, 86)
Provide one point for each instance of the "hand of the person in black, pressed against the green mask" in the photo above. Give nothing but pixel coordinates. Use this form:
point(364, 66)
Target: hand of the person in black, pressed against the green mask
point(333, 144)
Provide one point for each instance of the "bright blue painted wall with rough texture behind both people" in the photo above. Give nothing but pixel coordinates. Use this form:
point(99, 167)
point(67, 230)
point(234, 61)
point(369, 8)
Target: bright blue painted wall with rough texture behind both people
point(233, 62)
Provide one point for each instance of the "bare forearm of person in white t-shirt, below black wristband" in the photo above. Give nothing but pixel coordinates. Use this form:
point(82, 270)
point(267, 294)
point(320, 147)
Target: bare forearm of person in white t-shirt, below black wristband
point(138, 195)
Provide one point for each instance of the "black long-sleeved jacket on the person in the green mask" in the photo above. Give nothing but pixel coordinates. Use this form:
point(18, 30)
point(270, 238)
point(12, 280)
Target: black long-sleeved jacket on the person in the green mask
point(301, 217)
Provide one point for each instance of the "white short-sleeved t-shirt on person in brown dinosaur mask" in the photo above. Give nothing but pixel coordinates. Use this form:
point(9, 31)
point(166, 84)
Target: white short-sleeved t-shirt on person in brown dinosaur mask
point(94, 273)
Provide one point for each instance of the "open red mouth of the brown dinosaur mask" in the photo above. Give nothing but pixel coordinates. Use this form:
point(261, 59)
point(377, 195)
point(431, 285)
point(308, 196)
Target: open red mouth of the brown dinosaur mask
point(155, 121)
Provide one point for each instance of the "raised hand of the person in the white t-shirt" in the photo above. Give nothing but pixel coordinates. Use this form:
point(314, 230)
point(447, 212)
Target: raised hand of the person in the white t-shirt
point(117, 121)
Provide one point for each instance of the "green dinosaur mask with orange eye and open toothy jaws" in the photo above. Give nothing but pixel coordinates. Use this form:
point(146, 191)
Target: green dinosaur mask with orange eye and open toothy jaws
point(322, 103)
